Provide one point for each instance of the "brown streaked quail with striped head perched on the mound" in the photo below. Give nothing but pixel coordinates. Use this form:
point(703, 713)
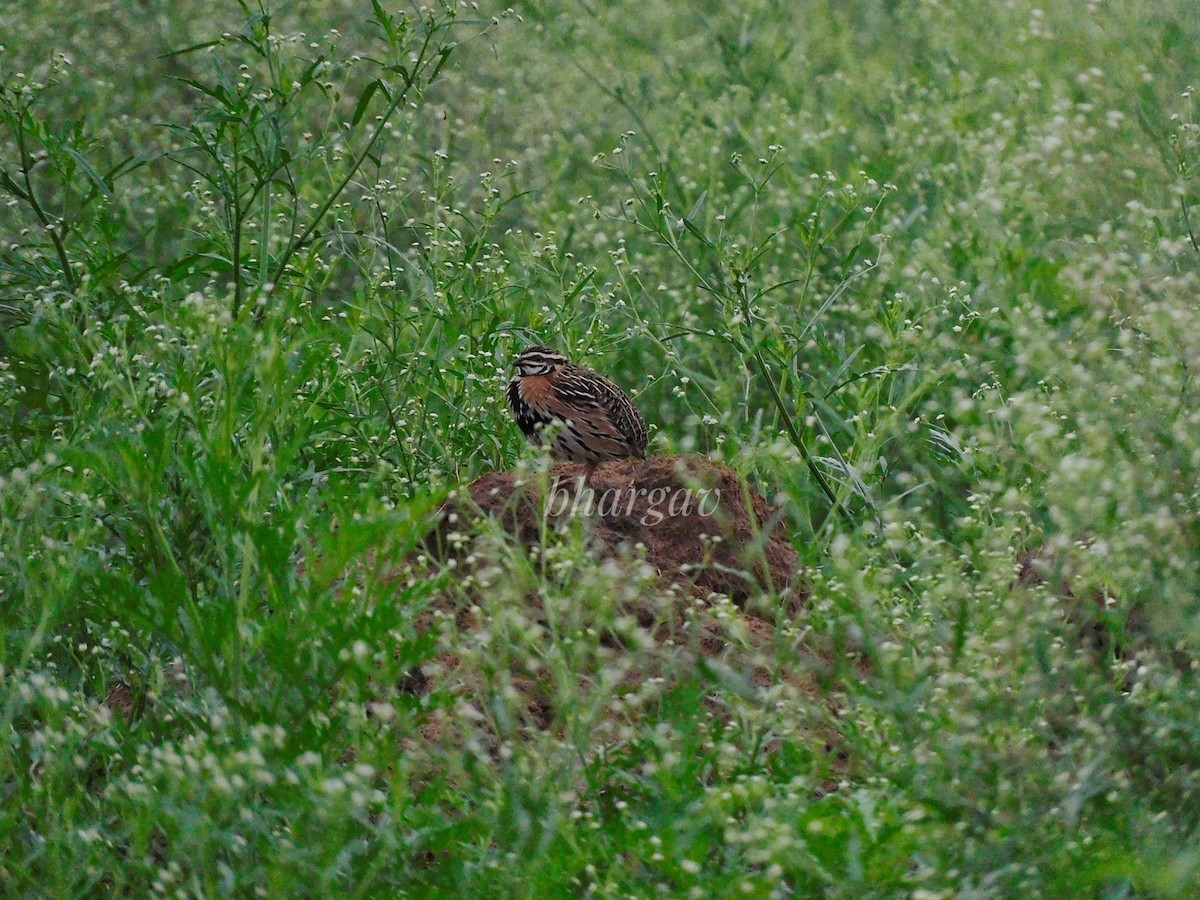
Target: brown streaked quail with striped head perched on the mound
point(599, 422)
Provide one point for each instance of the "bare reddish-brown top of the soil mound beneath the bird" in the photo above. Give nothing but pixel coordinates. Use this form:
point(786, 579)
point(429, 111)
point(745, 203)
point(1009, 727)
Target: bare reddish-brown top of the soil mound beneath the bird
point(700, 525)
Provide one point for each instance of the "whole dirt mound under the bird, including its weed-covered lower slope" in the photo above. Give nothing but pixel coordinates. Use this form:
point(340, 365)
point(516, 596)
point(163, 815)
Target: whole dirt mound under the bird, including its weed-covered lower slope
point(700, 526)
